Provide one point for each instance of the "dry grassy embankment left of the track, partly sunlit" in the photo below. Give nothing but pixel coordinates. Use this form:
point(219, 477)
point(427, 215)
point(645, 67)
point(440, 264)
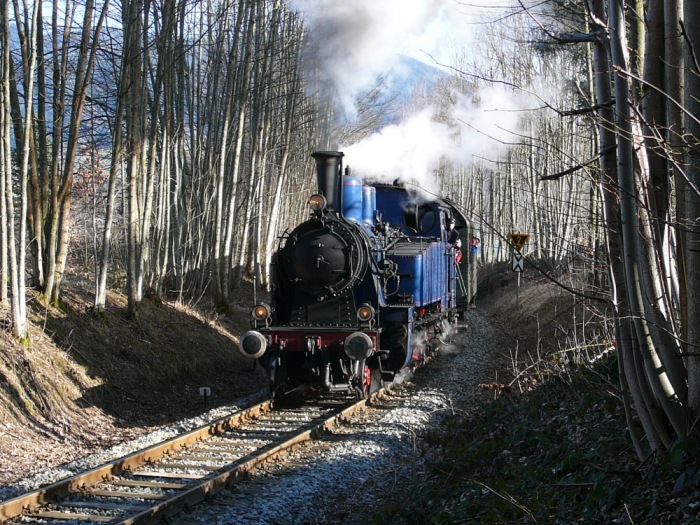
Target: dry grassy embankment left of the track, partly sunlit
point(86, 382)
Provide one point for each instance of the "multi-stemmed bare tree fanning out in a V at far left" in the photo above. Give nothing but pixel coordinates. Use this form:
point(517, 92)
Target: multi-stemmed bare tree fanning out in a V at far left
point(49, 169)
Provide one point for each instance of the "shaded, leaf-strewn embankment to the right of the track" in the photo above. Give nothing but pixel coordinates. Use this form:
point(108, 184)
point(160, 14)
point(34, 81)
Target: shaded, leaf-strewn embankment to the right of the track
point(551, 445)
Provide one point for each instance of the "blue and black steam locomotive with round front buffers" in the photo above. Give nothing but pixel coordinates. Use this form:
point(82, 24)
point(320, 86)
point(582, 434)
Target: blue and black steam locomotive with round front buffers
point(370, 284)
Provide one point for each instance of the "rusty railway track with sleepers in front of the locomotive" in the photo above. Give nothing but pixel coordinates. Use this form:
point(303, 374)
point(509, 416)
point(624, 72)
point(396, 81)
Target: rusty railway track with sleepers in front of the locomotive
point(161, 480)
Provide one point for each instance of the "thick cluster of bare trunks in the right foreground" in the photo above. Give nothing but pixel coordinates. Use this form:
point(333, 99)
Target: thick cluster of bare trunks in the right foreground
point(648, 330)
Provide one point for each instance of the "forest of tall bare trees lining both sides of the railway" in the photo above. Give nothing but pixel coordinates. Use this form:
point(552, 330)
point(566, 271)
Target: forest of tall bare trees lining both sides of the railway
point(164, 147)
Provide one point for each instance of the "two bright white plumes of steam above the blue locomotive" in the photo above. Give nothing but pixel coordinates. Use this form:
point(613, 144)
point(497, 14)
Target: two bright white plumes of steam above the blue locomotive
point(356, 41)
